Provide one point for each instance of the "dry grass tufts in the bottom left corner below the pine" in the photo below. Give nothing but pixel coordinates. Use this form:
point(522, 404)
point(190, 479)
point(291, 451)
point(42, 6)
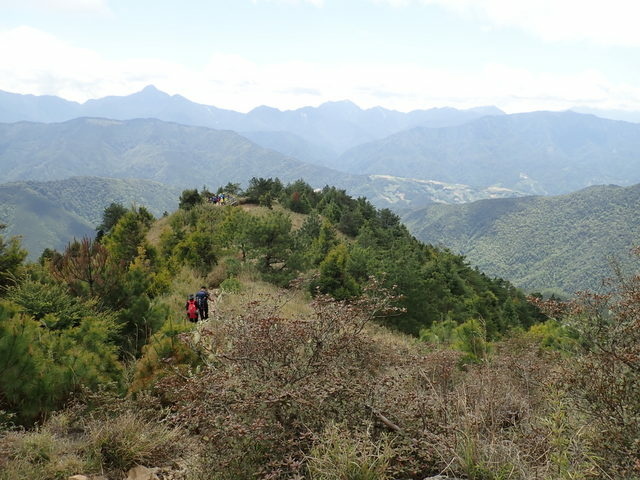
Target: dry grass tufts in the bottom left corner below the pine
point(72, 443)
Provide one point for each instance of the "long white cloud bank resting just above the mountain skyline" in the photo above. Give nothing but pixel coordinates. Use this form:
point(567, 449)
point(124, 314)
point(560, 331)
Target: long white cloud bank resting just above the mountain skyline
point(32, 61)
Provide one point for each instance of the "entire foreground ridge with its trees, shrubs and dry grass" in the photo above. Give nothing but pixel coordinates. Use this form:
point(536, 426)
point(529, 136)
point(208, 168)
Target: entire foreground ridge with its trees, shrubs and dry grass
point(103, 376)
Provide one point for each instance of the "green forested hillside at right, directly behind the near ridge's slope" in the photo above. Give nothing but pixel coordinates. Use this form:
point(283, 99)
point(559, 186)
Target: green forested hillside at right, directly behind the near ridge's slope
point(564, 242)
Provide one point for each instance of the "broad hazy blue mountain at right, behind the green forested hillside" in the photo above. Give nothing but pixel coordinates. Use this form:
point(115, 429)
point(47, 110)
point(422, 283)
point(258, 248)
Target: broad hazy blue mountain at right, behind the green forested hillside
point(538, 153)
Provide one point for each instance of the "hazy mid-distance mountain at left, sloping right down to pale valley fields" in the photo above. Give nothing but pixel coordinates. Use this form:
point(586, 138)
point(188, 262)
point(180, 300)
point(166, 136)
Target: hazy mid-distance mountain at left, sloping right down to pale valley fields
point(187, 157)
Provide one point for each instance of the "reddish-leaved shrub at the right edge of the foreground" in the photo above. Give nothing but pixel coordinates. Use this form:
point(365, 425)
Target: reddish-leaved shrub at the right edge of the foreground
point(604, 376)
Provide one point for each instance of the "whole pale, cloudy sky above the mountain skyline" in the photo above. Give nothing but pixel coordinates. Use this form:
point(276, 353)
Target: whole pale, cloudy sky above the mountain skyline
point(519, 55)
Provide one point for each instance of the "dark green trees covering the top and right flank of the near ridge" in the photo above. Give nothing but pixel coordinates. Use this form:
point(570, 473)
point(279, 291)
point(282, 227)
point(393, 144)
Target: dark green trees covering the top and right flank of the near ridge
point(434, 283)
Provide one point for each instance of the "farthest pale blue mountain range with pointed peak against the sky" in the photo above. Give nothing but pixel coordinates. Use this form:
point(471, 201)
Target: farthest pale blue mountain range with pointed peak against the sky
point(332, 127)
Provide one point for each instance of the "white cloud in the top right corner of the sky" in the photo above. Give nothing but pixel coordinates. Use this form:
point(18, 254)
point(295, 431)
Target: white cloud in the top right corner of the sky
point(614, 22)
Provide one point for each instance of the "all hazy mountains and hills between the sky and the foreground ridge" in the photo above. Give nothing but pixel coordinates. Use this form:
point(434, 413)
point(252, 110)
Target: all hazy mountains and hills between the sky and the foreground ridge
point(404, 161)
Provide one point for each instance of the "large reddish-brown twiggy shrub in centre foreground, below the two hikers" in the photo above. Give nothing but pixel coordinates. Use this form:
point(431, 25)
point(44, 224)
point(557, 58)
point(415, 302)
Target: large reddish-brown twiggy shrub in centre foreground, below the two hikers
point(273, 382)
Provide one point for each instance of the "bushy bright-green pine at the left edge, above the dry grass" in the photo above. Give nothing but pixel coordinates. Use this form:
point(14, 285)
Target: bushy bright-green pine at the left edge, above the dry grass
point(40, 368)
